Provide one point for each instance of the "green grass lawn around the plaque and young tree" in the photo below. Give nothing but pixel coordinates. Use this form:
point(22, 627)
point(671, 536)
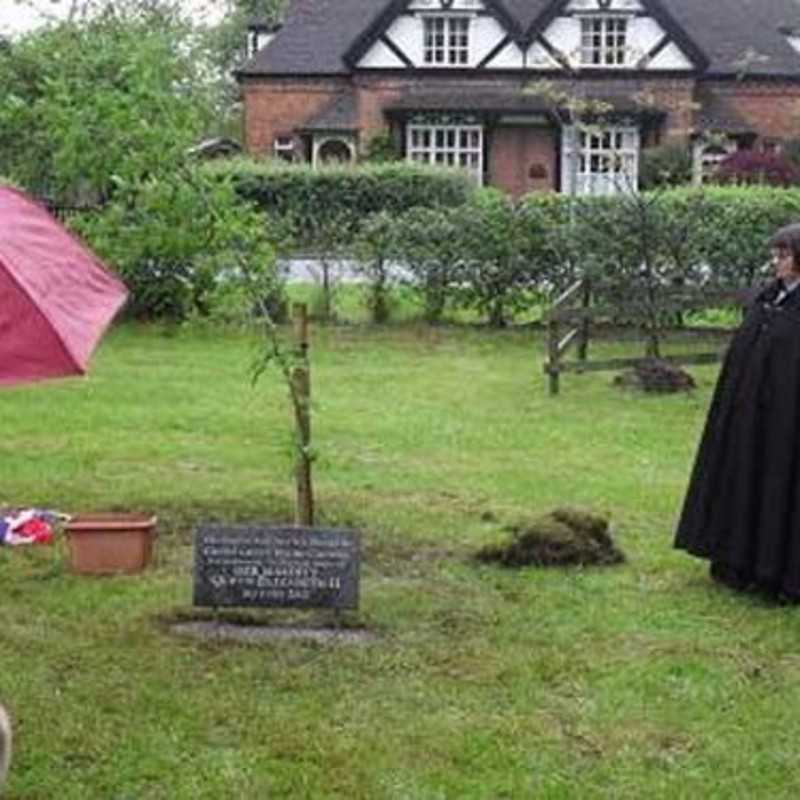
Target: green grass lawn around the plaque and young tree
point(642, 680)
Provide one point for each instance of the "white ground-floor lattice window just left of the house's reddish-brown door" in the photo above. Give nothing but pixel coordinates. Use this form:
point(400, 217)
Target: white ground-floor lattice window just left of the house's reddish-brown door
point(447, 145)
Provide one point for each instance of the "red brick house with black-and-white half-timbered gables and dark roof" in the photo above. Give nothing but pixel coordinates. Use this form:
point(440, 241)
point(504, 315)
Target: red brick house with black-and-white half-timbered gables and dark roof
point(528, 95)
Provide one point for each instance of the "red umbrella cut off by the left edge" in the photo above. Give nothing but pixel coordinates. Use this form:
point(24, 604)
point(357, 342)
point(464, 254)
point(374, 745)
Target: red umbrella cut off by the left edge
point(56, 297)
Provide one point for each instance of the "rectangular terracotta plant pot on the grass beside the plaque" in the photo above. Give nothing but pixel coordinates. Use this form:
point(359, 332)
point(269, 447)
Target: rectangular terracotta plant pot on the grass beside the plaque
point(107, 544)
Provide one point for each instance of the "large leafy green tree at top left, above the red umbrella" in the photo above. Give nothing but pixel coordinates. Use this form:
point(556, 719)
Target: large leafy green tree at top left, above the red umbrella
point(119, 95)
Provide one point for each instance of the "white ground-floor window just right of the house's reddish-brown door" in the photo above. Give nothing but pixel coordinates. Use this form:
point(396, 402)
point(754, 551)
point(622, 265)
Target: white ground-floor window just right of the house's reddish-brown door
point(600, 159)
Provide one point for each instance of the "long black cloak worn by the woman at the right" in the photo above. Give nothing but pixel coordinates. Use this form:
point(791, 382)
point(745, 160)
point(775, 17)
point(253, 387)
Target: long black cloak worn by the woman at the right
point(742, 507)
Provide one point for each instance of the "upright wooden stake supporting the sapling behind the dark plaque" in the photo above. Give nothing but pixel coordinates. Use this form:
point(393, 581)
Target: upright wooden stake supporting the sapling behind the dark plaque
point(301, 396)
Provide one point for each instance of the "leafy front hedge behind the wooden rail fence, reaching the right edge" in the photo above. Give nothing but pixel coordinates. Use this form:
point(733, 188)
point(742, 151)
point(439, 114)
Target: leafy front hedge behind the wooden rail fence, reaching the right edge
point(499, 257)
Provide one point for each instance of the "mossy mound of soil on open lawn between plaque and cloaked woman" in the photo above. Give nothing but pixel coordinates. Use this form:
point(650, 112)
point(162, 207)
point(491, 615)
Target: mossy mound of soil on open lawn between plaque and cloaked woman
point(564, 537)
